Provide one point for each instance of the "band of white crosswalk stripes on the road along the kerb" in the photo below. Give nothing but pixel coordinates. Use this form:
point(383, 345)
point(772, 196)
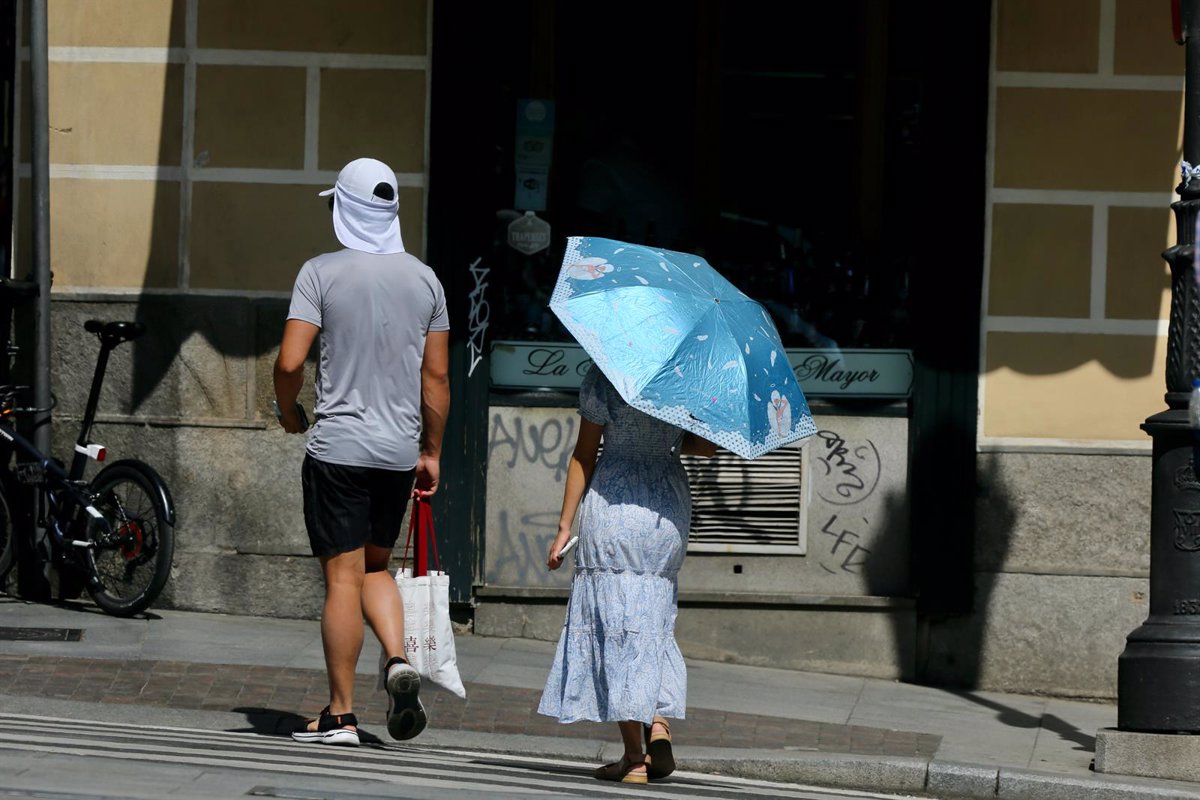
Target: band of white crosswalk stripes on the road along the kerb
point(412, 765)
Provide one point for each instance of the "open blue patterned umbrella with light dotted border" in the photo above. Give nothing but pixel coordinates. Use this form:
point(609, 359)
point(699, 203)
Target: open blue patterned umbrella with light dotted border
point(682, 344)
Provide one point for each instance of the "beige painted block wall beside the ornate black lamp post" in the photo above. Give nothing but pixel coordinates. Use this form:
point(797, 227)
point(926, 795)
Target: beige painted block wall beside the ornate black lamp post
point(1084, 154)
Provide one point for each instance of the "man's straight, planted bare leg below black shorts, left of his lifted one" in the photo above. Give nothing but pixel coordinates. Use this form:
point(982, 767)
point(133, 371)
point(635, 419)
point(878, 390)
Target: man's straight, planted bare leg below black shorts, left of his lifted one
point(341, 625)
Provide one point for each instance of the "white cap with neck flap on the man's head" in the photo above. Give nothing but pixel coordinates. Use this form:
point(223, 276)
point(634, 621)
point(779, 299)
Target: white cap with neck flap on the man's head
point(365, 219)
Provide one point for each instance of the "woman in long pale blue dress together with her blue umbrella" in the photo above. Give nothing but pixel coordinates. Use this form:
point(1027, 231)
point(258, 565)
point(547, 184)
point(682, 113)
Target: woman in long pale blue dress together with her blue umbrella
point(685, 359)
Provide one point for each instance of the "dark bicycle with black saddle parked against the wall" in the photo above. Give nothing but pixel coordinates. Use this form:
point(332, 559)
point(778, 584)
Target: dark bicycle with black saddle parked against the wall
point(115, 533)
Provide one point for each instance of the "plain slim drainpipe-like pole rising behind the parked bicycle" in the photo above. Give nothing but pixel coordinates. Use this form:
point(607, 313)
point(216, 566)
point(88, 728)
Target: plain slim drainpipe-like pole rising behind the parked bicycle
point(40, 167)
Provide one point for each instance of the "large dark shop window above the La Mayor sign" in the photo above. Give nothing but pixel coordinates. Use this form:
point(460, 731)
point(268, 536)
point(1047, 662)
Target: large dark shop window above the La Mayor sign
point(775, 140)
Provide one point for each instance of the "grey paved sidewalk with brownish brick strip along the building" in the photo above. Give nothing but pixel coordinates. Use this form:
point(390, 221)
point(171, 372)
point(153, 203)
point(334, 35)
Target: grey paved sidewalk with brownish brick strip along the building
point(243, 673)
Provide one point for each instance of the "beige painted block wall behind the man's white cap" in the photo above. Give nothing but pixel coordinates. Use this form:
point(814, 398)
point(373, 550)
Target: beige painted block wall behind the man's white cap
point(189, 139)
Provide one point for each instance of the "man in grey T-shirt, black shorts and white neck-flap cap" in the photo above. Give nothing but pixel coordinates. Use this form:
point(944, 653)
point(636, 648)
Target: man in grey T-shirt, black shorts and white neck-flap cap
point(382, 401)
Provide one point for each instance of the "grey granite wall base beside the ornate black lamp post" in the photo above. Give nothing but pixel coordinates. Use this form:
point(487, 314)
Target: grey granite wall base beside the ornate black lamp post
point(1063, 560)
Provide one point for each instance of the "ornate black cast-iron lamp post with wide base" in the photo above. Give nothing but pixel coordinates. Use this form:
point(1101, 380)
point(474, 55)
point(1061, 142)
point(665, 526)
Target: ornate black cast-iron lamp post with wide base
point(1159, 675)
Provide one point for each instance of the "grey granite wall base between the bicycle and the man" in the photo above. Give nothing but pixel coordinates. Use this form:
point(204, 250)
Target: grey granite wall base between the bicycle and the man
point(193, 399)
